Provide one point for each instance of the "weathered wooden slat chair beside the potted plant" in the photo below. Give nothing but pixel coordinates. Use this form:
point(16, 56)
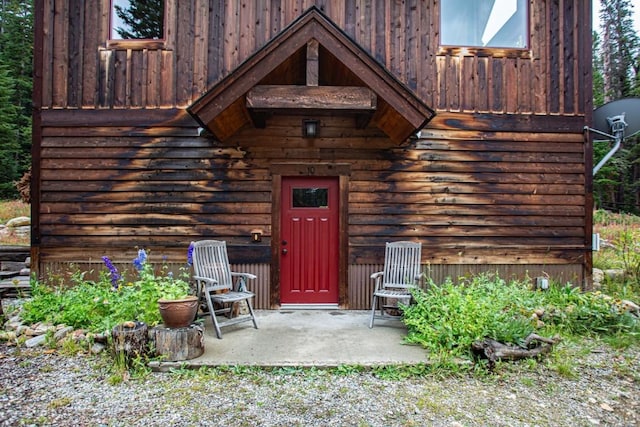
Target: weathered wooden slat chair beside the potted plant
point(215, 281)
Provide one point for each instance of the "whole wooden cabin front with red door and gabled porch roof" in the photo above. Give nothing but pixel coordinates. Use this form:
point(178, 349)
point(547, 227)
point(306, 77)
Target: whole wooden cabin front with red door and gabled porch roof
point(307, 133)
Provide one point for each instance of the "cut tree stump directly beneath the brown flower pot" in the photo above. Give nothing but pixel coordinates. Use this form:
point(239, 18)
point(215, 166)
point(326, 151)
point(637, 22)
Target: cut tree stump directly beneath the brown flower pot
point(175, 344)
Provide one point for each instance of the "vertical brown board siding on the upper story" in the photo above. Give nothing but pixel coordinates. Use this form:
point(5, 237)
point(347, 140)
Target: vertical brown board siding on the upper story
point(206, 40)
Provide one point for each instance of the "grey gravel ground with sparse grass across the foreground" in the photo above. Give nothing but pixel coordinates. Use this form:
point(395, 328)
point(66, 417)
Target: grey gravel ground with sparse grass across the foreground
point(45, 388)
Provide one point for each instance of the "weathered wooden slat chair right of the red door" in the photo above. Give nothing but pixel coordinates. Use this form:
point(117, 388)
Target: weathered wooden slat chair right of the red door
point(401, 273)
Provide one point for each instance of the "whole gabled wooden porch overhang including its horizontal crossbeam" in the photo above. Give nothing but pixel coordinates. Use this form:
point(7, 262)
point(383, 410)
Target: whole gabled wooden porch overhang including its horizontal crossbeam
point(311, 67)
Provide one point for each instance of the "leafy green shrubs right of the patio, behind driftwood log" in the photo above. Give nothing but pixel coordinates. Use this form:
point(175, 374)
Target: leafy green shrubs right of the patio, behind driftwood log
point(446, 319)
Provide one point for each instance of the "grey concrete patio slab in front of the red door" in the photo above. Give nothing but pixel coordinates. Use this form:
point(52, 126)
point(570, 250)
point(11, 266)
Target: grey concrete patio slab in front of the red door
point(321, 338)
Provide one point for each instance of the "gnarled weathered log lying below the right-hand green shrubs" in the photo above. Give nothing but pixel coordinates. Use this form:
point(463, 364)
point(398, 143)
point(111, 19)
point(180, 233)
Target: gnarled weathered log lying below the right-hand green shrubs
point(534, 345)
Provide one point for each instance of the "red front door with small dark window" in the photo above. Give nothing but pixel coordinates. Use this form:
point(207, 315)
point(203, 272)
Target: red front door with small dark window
point(309, 251)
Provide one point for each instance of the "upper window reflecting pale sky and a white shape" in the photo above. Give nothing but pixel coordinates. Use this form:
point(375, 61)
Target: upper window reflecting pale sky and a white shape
point(484, 23)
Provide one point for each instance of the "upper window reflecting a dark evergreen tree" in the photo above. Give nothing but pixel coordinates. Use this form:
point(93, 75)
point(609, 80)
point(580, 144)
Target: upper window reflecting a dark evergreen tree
point(137, 20)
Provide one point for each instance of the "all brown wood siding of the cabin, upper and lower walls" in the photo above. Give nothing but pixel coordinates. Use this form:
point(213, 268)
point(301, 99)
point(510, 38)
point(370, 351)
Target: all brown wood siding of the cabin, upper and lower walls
point(498, 180)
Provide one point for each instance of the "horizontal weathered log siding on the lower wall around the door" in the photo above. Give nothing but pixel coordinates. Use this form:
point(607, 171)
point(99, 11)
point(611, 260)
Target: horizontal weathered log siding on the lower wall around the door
point(473, 198)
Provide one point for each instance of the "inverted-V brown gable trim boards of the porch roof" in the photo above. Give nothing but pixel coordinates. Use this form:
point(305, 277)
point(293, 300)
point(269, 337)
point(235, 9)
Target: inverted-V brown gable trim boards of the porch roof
point(222, 111)
